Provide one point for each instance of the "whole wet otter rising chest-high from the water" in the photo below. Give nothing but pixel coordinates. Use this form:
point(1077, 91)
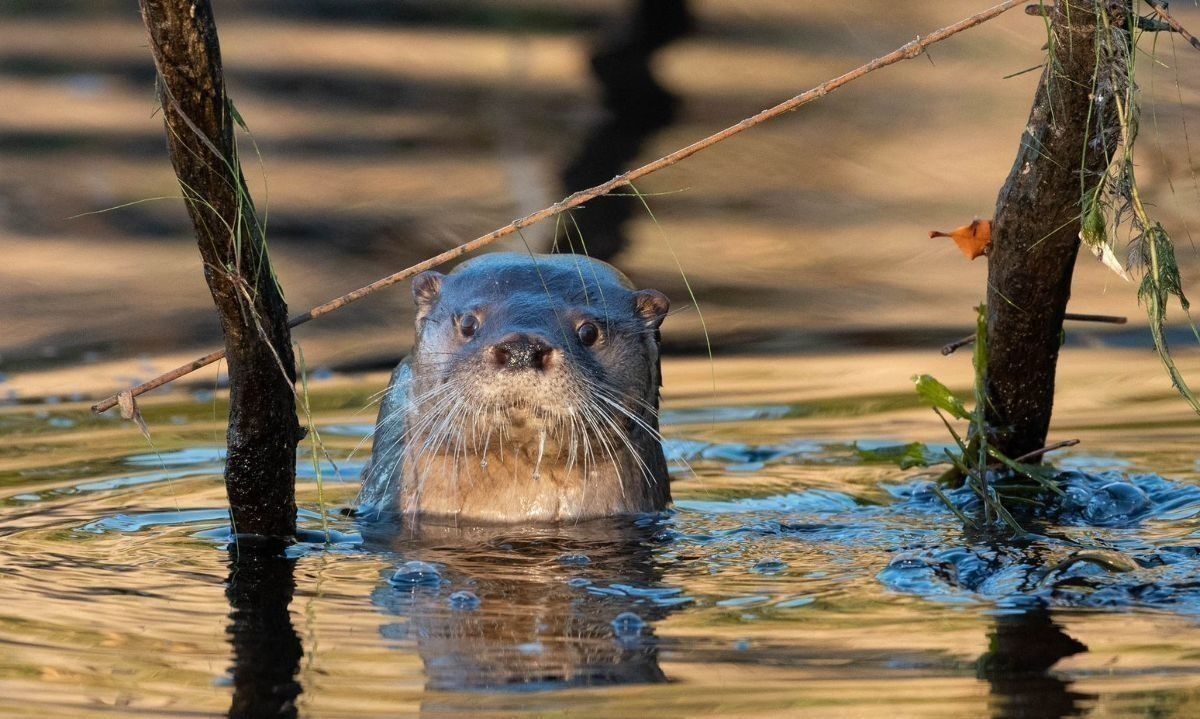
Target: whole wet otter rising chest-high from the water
point(531, 396)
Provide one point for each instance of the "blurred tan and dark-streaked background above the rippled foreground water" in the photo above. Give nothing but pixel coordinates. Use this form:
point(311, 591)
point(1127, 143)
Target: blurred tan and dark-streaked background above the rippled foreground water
point(387, 131)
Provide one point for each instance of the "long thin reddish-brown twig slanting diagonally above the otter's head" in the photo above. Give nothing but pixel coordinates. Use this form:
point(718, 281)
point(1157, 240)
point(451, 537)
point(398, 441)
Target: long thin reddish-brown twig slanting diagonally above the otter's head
point(908, 52)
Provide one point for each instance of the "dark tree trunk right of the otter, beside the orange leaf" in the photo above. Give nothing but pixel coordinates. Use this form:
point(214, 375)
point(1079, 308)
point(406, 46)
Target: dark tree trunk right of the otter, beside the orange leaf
point(1036, 230)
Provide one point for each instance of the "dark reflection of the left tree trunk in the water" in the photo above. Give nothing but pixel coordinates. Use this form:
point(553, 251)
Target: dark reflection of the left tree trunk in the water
point(267, 649)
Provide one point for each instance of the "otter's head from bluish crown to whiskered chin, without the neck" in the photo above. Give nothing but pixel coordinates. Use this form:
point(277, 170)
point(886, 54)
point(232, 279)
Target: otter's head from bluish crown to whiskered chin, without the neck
point(520, 345)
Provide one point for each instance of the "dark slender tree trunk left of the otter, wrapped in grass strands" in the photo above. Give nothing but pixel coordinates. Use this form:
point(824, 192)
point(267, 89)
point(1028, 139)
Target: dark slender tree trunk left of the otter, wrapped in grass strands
point(263, 428)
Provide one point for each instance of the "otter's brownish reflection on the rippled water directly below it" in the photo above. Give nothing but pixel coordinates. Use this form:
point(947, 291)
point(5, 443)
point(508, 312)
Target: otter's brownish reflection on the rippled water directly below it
point(551, 616)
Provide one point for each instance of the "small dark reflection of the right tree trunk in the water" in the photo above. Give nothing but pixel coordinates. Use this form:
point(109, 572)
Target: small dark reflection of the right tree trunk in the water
point(1023, 648)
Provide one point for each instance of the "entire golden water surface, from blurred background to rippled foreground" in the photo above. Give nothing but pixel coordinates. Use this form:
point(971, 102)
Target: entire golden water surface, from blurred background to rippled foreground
point(806, 571)
